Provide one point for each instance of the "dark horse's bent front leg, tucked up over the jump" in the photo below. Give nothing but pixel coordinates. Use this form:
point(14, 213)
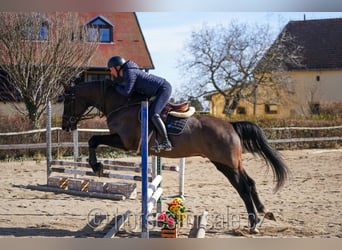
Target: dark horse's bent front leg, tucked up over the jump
point(112, 140)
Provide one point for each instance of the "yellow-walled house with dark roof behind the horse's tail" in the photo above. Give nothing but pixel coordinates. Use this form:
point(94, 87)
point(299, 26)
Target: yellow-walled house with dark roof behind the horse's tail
point(316, 85)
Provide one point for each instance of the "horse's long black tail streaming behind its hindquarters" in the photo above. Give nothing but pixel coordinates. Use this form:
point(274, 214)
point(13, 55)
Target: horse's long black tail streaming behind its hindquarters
point(254, 141)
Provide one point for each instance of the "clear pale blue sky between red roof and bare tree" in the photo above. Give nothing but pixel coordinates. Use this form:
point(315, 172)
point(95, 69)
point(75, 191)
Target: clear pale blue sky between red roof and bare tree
point(166, 32)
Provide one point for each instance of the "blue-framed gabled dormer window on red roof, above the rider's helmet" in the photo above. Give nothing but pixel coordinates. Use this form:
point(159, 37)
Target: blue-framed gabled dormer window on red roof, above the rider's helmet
point(100, 26)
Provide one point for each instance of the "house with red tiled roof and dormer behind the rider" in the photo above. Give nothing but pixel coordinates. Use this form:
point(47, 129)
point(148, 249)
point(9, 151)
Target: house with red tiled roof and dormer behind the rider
point(120, 34)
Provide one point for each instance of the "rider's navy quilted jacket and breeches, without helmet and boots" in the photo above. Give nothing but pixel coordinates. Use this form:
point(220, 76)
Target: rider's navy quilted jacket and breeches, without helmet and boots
point(136, 80)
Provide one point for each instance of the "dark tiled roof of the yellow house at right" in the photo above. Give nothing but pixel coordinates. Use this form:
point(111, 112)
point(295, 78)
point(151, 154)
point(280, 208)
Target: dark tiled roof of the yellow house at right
point(322, 42)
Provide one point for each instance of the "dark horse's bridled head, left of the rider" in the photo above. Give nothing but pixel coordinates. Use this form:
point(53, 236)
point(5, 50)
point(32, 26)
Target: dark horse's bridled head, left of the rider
point(74, 108)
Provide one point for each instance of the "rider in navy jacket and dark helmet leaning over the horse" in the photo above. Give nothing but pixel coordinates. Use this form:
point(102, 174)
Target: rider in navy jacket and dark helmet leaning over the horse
point(128, 78)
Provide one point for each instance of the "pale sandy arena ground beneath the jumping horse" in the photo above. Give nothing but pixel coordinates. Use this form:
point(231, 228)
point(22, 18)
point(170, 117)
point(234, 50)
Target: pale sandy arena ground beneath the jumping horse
point(308, 206)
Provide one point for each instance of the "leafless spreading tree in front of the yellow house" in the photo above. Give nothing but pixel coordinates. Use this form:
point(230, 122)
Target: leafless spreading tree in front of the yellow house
point(236, 60)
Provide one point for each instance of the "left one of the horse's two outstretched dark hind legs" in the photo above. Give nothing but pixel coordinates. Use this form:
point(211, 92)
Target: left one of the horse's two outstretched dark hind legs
point(242, 186)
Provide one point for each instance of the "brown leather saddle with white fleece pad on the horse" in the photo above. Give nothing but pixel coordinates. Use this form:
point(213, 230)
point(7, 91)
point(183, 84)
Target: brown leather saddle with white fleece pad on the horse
point(182, 110)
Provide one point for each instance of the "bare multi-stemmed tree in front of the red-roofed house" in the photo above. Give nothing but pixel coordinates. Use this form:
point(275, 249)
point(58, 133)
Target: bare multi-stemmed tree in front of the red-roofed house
point(39, 53)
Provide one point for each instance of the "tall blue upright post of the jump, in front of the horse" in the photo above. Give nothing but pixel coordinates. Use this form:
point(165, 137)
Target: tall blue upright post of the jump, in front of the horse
point(144, 171)
